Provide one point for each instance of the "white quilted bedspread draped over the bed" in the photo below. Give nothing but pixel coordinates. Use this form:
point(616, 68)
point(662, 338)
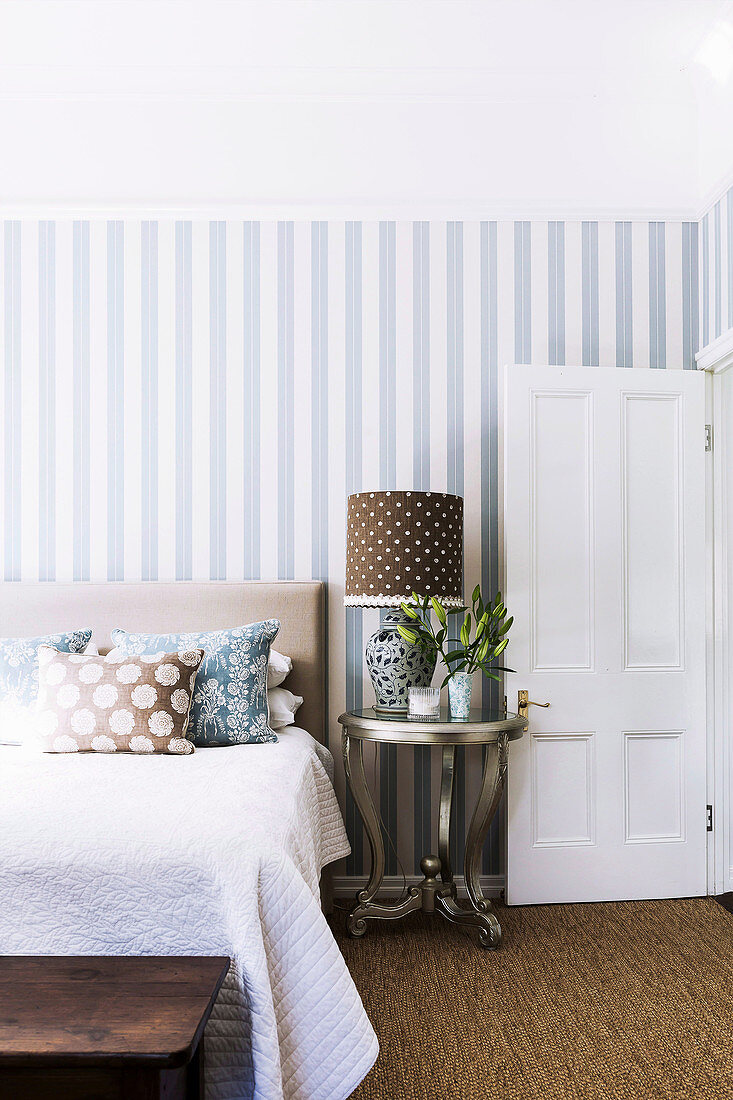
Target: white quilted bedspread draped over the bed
point(214, 854)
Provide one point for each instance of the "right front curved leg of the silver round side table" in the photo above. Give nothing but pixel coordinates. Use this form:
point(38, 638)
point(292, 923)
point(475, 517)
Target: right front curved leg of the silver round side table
point(482, 915)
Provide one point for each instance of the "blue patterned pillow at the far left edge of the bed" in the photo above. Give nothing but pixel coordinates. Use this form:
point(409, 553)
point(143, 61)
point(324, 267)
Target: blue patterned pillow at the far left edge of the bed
point(19, 676)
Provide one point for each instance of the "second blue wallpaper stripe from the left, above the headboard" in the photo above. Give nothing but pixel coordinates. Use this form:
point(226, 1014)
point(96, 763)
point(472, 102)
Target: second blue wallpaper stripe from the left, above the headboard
point(47, 401)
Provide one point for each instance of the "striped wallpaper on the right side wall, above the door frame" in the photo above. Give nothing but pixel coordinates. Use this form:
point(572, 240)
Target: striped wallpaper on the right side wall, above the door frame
point(717, 270)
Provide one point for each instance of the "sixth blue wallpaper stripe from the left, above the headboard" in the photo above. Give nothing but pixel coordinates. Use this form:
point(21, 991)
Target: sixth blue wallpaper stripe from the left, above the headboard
point(184, 403)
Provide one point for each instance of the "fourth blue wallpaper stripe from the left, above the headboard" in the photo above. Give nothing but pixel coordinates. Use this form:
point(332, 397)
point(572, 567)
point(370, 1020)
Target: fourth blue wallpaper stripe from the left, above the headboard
point(115, 401)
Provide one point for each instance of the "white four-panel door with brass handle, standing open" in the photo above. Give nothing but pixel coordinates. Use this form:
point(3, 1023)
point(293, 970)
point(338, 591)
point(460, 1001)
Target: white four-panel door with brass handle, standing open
point(606, 574)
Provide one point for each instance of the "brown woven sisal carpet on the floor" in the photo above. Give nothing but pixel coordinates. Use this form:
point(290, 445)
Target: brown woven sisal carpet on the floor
point(600, 1003)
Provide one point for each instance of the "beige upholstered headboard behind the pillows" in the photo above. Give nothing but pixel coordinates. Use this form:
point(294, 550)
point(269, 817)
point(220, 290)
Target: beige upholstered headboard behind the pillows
point(156, 607)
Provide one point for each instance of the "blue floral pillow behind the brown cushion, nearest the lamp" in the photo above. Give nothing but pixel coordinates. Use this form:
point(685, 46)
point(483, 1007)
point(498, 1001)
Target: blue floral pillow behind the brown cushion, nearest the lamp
point(231, 696)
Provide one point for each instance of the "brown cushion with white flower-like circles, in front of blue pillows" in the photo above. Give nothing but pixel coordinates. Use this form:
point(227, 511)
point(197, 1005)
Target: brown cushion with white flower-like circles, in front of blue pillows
point(116, 703)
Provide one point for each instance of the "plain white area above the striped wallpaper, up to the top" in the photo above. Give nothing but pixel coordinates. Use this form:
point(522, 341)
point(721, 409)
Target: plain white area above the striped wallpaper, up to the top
point(487, 106)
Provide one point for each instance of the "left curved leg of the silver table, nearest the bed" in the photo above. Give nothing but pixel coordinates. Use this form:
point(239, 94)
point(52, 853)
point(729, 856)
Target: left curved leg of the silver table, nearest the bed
point(354, 763)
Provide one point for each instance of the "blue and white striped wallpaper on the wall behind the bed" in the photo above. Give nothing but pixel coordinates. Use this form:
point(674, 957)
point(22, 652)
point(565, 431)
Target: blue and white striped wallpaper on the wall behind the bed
point(196, 400)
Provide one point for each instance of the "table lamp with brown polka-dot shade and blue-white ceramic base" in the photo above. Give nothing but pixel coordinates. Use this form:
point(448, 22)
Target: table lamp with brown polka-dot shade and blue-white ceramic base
point(400, 543)
